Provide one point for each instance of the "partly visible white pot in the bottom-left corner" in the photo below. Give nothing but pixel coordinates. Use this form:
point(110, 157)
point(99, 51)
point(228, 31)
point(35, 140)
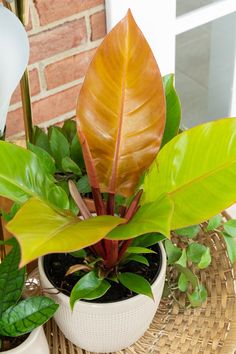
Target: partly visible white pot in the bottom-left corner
point(36, 343)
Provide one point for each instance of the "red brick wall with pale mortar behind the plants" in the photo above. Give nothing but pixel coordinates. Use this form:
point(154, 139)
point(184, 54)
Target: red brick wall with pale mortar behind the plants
point(63, 37)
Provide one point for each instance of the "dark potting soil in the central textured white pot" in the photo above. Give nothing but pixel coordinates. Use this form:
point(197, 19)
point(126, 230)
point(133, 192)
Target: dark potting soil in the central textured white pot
point(57, 264)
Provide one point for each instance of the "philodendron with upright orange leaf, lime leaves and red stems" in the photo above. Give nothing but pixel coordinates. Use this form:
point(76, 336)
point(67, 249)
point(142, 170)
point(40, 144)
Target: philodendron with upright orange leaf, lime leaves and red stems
point(140, 193)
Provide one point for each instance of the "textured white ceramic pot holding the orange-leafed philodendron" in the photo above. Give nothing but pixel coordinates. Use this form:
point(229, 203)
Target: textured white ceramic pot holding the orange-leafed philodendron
point(109, 327)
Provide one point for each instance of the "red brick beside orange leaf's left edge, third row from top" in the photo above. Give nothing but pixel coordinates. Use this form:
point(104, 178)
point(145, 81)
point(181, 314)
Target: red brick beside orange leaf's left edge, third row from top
point(68, 70)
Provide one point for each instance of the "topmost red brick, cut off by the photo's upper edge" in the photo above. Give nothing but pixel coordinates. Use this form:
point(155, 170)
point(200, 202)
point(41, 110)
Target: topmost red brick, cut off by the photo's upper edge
point(53, 10)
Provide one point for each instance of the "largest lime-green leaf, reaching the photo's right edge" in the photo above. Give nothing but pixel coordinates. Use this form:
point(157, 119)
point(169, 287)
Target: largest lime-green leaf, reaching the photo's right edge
point(193, 178)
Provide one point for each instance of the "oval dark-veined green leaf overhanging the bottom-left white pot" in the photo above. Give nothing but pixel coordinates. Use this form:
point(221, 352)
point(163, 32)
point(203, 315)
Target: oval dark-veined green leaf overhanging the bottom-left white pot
point(27, 315)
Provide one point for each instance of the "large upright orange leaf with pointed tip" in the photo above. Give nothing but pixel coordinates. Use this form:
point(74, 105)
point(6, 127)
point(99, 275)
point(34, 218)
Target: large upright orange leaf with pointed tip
point(121, 110)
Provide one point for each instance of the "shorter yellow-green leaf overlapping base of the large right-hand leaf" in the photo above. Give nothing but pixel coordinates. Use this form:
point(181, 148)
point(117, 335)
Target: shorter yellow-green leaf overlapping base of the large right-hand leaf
point(152, 217)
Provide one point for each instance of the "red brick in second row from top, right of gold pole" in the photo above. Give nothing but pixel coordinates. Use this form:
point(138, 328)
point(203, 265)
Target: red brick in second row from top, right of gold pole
point(61, 38)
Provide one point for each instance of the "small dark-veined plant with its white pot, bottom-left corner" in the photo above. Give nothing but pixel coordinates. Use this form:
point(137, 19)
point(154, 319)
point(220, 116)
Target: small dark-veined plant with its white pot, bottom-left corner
point(21, 320)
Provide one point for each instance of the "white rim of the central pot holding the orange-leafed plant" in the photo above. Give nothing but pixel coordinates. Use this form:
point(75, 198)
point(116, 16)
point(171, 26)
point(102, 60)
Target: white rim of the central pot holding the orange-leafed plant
point(65, 298)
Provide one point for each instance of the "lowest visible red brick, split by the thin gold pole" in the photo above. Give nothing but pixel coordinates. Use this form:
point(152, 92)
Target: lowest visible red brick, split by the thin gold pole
point(45, 109)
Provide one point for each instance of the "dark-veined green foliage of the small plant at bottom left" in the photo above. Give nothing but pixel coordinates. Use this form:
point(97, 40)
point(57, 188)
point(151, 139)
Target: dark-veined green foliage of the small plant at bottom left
point(19, 316)
